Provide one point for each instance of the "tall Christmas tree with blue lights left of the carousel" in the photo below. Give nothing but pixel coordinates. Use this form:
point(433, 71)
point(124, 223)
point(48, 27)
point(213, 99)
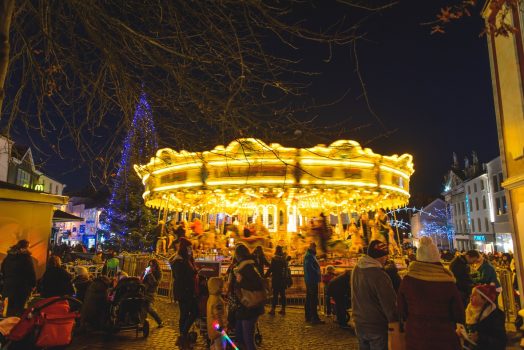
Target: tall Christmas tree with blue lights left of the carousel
point(127, 220)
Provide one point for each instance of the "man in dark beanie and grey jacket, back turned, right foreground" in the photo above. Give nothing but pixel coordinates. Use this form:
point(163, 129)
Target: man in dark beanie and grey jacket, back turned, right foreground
point(373, 298)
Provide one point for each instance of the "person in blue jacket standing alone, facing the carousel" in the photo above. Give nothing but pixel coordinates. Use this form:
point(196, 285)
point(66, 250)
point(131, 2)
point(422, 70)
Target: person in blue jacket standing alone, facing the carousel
point(312, 279)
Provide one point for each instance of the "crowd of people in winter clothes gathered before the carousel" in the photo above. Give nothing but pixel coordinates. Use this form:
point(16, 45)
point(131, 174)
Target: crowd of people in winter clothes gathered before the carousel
point(432, 306)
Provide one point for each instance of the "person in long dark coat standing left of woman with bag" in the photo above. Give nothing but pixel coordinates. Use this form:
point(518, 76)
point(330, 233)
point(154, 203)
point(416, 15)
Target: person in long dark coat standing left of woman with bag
point(185, 274)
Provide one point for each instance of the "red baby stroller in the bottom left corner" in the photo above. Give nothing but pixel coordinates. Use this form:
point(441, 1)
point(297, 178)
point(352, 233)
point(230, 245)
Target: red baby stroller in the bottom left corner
point(48, 323)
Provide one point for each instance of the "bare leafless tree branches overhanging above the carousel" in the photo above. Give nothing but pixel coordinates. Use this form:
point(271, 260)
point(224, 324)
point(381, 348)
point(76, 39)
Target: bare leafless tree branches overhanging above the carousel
point(213, 70)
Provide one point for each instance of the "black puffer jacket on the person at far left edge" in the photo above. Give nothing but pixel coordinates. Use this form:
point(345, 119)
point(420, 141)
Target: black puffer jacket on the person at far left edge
point(18, 272)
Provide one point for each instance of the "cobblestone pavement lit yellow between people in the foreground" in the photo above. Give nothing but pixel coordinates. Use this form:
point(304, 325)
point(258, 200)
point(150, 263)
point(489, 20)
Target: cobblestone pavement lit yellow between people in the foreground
point(278, 332)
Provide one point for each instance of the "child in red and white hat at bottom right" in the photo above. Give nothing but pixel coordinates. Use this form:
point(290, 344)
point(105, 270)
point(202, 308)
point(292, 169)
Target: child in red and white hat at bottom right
point(485, 322)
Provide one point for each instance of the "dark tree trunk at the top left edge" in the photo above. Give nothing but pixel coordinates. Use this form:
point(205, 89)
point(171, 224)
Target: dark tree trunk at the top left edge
point(6, 13)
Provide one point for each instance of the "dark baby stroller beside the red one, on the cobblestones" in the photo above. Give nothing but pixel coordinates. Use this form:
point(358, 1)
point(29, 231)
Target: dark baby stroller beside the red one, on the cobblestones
point(127, 310)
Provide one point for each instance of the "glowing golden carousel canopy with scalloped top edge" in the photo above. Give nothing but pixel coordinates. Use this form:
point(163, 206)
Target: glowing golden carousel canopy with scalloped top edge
point(341, 177)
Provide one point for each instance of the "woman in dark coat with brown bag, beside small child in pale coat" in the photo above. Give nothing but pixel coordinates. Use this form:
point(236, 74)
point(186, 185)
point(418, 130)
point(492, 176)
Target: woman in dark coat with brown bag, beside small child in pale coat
point(246, 277)
